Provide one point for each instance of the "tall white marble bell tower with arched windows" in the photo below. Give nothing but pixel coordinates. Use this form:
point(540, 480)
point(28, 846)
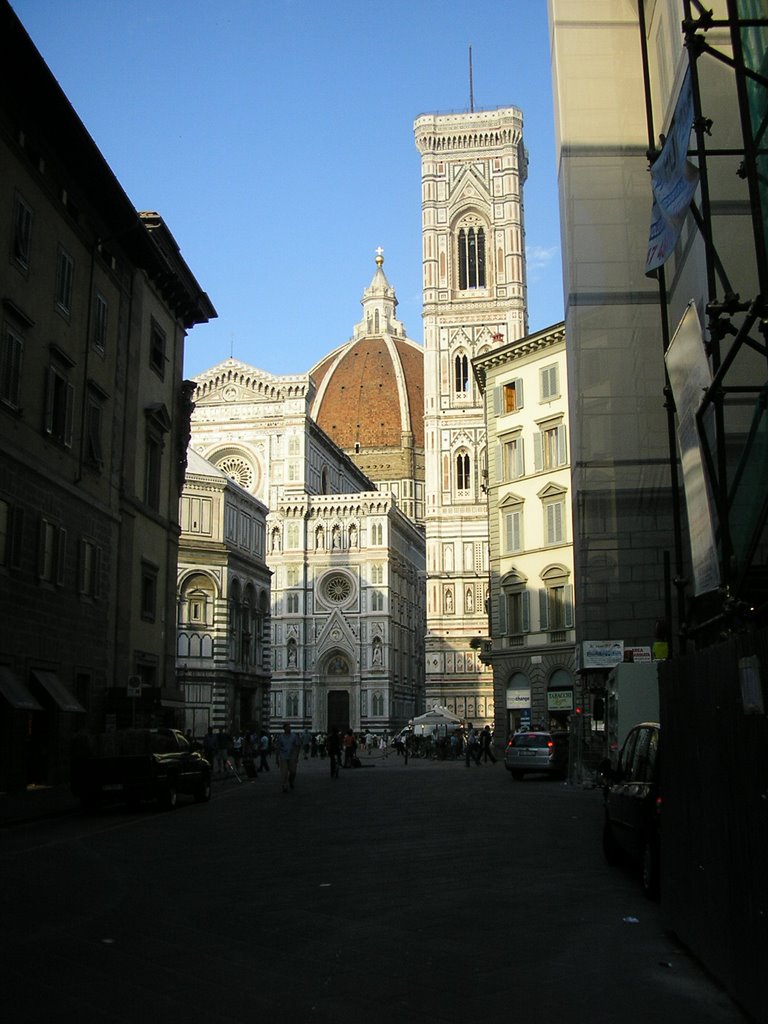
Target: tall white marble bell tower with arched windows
point(474, 167)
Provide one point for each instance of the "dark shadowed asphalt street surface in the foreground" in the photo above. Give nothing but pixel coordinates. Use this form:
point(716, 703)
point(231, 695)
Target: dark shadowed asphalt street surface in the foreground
point(429, 892)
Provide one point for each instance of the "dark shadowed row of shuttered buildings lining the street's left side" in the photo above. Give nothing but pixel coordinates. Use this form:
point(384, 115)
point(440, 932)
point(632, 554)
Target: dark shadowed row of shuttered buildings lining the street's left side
point(96, 303)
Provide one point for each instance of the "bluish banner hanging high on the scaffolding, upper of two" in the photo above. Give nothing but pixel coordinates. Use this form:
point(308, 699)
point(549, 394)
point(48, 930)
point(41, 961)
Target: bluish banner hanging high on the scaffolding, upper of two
point(674, 181)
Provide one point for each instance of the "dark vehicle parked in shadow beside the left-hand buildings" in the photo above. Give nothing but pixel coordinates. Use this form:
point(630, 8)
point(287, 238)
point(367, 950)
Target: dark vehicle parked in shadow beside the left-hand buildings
point(137, 765)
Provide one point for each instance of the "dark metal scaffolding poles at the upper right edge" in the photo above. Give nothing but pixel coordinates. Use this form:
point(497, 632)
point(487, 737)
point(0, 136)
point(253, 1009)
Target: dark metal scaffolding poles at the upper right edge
point(735, 457)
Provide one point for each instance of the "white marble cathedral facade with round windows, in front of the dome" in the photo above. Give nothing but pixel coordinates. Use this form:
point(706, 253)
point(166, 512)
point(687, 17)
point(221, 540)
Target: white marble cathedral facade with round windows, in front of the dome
point(348, 565)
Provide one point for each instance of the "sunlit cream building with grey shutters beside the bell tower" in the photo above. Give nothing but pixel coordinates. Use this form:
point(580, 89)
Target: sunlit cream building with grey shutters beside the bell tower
point(532, 650)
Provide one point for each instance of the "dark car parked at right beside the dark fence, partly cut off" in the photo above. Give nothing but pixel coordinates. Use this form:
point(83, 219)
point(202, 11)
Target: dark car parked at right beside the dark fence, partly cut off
point(633, 804)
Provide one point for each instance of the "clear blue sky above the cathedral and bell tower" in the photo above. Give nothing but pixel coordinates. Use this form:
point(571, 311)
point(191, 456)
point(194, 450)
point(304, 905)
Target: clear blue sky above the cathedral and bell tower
point(276, 139)
